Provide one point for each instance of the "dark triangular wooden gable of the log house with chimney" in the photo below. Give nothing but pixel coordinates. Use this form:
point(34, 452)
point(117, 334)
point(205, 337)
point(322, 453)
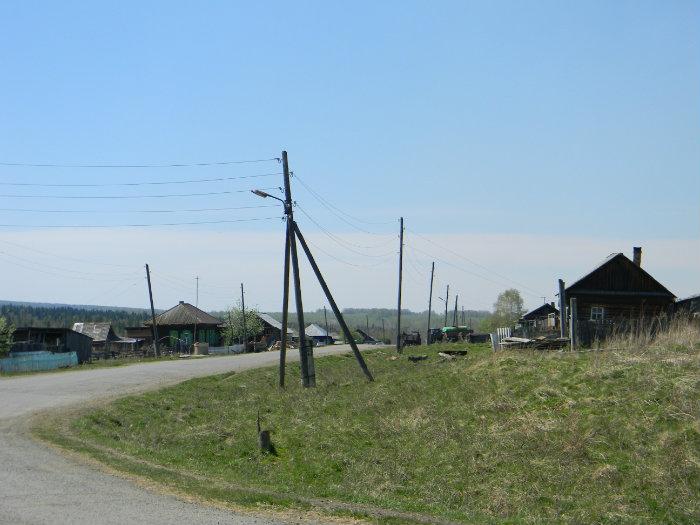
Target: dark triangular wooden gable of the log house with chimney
point(617, 275)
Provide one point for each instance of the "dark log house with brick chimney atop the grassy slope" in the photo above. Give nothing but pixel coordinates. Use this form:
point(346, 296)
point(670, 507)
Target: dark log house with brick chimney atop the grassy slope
point(619, 289)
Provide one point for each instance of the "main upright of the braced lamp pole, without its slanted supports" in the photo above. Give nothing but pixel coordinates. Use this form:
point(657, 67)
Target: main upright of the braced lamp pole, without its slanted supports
point(308, 374)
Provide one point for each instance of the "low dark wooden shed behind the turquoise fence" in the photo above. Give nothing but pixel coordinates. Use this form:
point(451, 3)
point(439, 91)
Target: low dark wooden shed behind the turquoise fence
point(56, 340)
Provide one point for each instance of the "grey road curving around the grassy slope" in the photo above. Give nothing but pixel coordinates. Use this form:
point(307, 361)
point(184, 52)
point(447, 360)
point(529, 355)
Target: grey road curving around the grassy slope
point(41, 486)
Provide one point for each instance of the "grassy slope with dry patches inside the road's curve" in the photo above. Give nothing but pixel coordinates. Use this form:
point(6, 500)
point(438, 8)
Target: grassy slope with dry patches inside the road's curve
point(521, 437)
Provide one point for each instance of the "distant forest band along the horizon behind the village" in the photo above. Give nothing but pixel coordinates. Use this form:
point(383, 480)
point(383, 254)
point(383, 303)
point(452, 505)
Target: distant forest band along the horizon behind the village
point(369, 319)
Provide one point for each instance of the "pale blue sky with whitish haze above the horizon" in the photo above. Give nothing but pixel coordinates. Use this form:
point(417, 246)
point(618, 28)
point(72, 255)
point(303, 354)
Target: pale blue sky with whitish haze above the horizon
point(529, 138)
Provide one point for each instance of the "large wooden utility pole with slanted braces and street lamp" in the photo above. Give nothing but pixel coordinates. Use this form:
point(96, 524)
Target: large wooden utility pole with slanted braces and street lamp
point(293, 233)
